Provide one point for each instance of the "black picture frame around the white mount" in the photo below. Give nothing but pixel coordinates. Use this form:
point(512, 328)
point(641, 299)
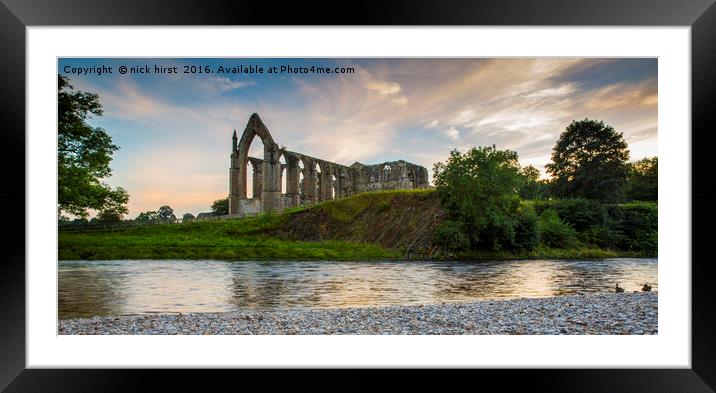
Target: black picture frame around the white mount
point(16, 15)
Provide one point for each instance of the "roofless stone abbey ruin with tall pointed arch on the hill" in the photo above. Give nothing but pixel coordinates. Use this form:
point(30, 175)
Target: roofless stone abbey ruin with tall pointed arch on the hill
point(308, 179)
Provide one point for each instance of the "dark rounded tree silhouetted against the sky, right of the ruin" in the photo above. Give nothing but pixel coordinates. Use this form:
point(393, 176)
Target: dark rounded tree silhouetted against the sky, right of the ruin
point(590, 161)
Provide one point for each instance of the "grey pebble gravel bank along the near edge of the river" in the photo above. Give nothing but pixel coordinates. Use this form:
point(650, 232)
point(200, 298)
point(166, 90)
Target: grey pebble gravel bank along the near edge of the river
point(608, 313)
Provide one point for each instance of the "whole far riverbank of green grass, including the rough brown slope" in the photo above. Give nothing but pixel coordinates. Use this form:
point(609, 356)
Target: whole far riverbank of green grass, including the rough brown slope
point(378, 225)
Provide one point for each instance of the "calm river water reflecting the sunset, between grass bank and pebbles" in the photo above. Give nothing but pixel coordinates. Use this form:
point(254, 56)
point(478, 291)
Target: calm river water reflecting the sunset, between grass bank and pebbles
point(89, 288)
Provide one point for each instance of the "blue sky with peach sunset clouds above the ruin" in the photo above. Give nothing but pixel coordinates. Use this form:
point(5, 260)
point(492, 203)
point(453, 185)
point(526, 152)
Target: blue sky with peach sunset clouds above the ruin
point(174, 130)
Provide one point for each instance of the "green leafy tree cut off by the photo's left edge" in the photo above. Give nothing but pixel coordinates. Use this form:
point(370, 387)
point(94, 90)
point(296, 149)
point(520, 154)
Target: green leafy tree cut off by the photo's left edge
point(83, 155)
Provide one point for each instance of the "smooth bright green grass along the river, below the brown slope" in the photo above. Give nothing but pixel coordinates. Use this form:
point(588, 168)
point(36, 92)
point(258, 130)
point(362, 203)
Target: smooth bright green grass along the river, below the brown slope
point(243, 239)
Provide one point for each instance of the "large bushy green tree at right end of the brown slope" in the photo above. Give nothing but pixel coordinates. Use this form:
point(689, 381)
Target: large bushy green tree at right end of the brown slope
point(480, 190)
